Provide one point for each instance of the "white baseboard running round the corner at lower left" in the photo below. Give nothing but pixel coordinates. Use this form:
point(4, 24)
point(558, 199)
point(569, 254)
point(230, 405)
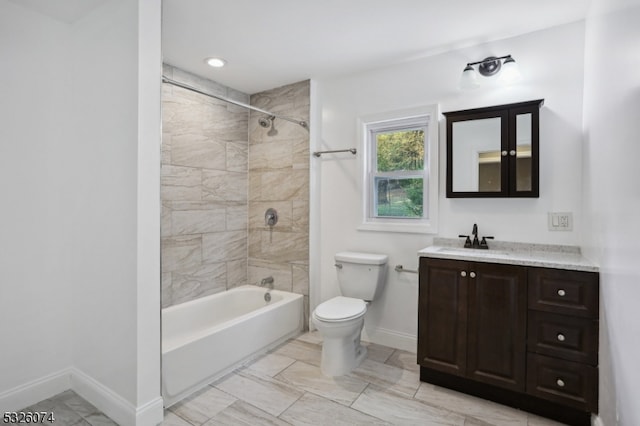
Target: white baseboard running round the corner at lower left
point(105, 399)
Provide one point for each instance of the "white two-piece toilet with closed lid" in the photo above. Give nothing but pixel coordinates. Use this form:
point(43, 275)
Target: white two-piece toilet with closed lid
point(361, 277)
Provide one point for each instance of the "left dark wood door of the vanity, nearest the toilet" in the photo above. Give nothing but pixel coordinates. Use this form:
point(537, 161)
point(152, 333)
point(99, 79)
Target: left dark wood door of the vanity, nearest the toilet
point(442, 313)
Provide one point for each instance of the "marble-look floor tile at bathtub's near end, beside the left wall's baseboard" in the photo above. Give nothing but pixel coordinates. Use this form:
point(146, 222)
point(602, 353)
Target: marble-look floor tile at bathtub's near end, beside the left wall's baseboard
point(201, 406)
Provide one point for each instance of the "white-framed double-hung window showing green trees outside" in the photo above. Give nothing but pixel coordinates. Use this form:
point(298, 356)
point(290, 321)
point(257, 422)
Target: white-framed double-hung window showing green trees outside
point(400, 179)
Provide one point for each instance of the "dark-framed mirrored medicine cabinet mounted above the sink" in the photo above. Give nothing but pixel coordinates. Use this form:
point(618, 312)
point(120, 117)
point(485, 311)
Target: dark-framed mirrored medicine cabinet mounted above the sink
point(494, 151)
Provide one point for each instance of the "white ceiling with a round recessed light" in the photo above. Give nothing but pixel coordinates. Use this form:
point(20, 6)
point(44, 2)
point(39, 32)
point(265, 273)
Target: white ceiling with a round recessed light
point(270, 44)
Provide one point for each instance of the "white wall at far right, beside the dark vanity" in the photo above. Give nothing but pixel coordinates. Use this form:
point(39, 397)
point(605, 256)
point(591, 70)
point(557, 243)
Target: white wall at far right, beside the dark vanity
point(612, 198)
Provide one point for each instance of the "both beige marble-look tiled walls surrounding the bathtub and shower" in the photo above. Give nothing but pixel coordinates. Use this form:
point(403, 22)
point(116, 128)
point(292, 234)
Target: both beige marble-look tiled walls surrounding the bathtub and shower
point(220, 172)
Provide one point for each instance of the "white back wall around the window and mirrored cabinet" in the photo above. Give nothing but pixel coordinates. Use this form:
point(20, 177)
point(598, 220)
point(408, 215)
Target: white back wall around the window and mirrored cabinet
point(551, 64)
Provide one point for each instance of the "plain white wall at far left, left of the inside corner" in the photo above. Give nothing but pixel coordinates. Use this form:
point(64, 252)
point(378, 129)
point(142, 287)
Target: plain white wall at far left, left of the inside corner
point(34, 260)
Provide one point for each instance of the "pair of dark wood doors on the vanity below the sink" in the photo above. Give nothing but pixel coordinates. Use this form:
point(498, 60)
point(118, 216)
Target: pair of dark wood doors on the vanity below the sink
point(473, 321)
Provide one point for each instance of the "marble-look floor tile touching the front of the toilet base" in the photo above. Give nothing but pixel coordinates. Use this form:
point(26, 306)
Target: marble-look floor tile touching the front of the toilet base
point(342, 389)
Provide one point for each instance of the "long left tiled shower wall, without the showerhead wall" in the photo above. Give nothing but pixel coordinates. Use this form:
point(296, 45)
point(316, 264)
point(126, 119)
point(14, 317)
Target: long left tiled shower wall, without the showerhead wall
point(204, 190)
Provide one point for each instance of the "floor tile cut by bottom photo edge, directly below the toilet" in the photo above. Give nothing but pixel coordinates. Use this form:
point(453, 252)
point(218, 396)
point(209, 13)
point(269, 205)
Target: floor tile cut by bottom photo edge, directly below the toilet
point(313, 410)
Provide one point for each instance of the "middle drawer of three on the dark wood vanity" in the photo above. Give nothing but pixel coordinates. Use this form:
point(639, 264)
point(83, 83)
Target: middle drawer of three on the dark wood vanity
point(570, 338)
